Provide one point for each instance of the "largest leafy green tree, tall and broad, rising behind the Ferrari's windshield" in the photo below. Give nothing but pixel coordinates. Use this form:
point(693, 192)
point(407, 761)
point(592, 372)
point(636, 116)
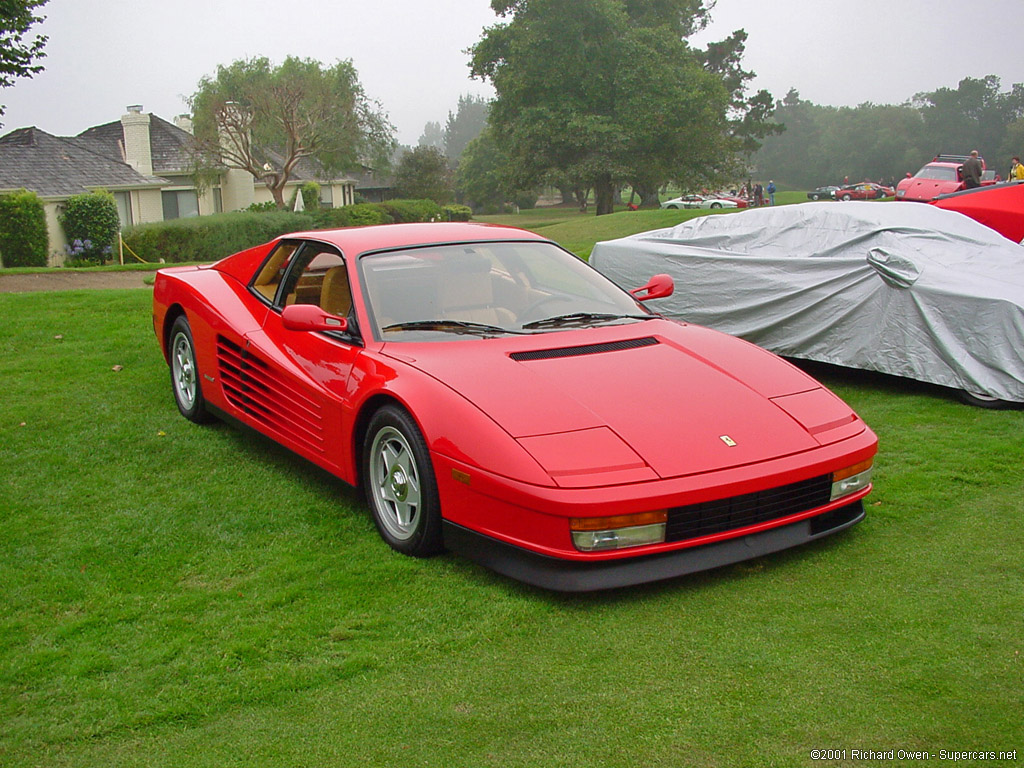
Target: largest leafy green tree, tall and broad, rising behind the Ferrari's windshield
point(598, 93)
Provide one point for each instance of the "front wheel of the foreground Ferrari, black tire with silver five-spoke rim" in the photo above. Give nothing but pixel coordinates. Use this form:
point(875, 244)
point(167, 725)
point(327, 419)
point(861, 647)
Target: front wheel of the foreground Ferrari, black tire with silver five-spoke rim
point(400, 484)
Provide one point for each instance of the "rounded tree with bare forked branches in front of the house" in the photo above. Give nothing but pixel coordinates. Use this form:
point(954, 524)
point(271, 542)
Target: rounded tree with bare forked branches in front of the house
point(265, 120)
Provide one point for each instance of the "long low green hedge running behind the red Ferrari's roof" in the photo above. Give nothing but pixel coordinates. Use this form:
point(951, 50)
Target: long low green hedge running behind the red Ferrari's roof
point(212, 238)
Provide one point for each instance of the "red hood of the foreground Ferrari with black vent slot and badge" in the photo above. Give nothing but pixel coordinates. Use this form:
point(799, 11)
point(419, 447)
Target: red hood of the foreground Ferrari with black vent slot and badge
point(638, 402)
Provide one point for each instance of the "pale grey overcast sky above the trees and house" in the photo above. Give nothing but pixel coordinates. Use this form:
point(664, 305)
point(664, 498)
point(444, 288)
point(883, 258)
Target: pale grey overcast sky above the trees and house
point(106, 55)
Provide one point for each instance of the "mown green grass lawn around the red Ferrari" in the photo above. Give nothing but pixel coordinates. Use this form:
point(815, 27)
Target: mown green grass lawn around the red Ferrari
point(177, 595)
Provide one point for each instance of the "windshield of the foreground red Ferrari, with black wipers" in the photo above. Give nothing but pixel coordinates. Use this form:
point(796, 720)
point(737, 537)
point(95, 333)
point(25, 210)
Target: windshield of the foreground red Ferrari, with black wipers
point(488, 289)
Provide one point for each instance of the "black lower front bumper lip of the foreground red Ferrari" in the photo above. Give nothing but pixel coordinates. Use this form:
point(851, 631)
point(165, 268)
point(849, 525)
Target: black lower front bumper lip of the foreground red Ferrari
point(575, 576)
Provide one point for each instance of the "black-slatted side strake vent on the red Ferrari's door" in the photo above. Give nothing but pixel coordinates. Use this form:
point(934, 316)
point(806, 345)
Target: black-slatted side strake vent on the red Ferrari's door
point(252, 387)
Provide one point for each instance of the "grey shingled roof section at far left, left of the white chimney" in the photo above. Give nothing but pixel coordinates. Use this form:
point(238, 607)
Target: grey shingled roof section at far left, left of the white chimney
point(56, 167)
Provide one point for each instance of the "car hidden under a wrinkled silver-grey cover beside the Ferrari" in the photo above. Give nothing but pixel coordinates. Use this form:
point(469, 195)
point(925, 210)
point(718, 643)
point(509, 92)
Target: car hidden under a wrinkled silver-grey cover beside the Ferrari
point(912, 291)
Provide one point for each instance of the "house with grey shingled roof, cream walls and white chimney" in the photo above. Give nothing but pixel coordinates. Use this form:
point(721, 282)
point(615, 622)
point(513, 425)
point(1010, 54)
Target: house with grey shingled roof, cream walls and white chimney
point(145, 162)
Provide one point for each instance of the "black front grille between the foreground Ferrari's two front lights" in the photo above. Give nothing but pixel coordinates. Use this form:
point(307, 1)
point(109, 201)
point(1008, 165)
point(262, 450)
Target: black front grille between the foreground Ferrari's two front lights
point(750, 509)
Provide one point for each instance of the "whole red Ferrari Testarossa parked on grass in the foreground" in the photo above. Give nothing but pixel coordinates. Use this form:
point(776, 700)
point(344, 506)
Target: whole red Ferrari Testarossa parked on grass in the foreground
point(497, 397)
